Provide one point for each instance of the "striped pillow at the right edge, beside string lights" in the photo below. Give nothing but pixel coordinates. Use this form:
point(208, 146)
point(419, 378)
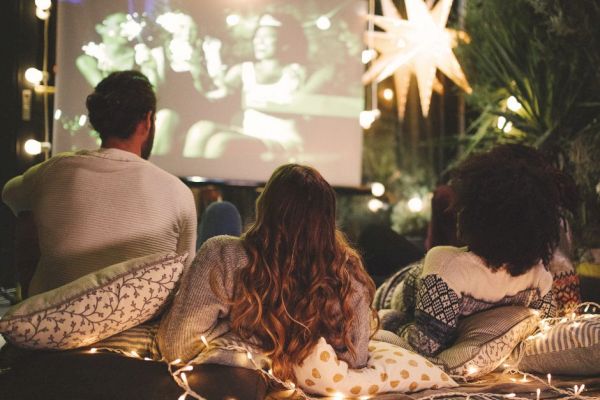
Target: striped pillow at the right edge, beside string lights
point(569, 348)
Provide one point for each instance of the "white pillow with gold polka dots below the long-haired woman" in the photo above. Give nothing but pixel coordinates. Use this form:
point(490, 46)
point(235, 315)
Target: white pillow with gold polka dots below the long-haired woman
point(389, 369)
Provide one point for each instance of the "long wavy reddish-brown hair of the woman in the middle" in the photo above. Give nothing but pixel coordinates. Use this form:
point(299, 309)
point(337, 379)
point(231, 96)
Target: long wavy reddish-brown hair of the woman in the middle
point(298, 284)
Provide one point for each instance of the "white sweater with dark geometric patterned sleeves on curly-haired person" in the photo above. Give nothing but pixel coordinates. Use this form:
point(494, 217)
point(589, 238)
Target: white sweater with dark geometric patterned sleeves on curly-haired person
point(452, 283)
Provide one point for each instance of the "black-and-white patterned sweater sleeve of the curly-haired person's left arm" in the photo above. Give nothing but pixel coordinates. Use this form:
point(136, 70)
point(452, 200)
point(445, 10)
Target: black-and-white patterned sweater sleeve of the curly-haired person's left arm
point(437, 309)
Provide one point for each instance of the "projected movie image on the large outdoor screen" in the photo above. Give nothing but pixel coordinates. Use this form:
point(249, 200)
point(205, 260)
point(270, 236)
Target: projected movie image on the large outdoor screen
point(242, 86)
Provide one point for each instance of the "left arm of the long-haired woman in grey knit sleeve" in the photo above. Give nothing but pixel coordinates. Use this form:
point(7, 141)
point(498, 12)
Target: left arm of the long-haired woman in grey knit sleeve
point(197, 310)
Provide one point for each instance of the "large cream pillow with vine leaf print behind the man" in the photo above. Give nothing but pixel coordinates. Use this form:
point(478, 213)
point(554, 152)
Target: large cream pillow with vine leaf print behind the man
point(94, 306)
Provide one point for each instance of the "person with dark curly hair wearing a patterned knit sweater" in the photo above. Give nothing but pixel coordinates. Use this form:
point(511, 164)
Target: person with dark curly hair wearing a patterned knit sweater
point(509, 204)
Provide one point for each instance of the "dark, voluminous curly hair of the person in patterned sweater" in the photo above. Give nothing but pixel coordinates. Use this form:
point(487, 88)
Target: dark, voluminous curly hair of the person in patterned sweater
point(509, 204)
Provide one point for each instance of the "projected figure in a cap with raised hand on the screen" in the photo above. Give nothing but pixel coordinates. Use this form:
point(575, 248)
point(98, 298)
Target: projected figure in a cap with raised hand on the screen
point(273, 78)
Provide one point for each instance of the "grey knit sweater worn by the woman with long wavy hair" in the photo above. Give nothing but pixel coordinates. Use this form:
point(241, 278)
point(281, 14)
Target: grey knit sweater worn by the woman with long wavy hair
point(198, 311)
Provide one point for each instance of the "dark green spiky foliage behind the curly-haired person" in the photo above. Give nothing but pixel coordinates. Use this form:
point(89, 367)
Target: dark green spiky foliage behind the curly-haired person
point(545, 53)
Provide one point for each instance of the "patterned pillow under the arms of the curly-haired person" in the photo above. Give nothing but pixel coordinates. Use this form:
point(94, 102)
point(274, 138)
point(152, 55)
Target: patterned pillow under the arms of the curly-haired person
point(486, 339)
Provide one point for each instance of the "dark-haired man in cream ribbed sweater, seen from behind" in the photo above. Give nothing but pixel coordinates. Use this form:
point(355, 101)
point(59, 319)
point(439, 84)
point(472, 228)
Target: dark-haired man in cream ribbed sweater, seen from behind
point(96, 208)
